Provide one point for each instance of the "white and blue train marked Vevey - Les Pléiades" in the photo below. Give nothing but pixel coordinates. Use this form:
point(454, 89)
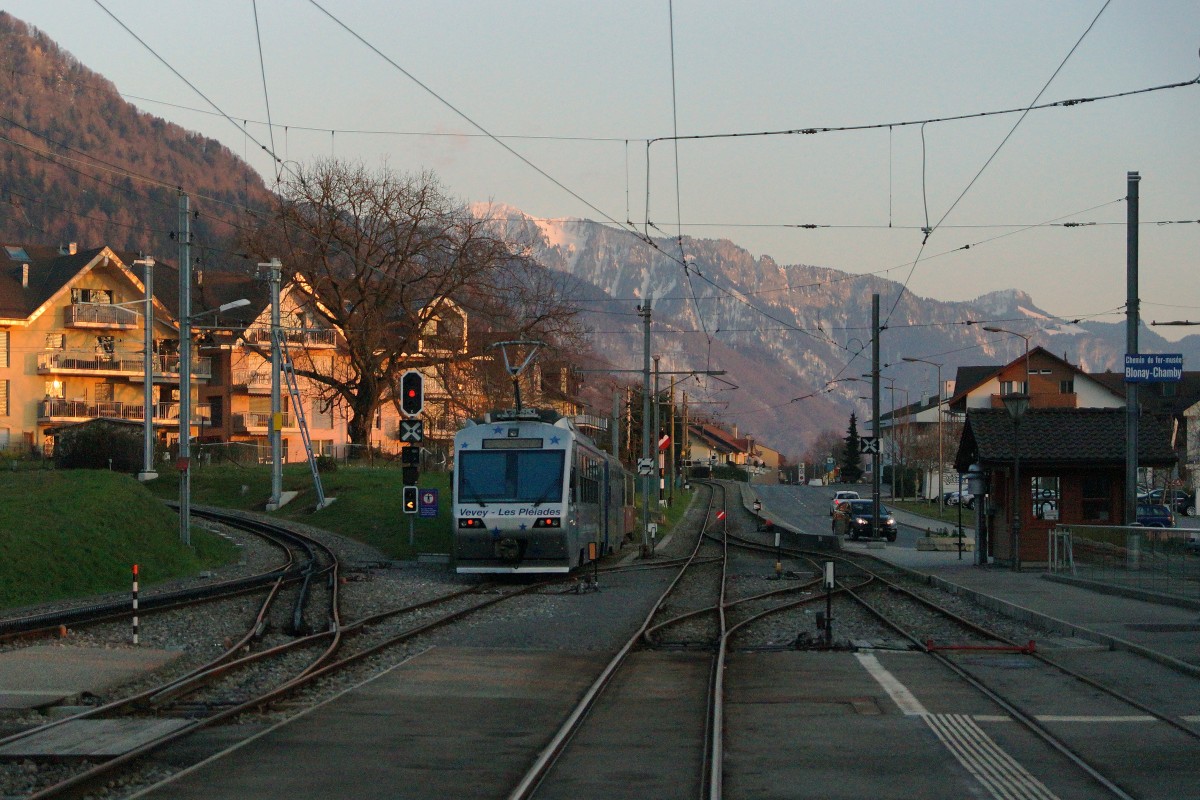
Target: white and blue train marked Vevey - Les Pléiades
point(532, 494)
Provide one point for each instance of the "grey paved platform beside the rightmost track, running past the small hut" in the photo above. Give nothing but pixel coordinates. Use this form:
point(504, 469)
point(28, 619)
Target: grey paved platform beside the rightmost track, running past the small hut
point(1167, 634)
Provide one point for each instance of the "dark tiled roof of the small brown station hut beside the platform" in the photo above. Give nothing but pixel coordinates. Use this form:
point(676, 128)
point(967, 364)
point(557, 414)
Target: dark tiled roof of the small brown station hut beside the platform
point(1076, 437)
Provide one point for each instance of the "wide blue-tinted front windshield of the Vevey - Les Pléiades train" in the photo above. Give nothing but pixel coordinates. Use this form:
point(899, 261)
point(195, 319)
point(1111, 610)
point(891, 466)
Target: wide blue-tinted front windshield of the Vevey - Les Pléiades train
point(512, 477)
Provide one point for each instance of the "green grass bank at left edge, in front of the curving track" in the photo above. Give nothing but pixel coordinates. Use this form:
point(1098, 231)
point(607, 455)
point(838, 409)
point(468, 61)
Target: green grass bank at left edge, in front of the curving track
point(74, 533)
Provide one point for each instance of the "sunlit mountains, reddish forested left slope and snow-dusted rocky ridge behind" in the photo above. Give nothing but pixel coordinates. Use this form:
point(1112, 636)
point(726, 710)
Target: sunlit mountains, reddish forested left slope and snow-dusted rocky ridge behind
point(787, 338)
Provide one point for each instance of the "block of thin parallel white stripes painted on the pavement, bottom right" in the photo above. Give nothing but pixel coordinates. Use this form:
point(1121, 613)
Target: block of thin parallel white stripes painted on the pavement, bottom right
point(981, 756)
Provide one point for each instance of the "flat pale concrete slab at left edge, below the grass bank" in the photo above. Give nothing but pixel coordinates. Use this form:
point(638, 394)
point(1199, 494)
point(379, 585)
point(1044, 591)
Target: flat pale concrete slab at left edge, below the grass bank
point(49, 675)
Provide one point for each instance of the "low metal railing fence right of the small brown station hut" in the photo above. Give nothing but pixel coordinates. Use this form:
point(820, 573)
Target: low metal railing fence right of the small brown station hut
point(1155, 560)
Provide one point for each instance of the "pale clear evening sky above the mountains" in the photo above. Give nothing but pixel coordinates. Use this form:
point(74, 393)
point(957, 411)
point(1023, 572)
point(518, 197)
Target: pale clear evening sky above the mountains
point(557, 107)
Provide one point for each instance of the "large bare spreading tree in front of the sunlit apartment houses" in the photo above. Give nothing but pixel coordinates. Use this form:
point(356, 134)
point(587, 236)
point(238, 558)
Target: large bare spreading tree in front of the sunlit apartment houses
point(387, 260)
